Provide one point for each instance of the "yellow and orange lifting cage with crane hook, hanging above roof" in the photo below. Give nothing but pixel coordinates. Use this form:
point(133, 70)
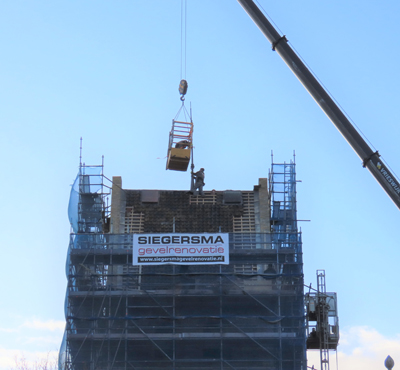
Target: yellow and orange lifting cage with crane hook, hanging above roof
point(180, 145)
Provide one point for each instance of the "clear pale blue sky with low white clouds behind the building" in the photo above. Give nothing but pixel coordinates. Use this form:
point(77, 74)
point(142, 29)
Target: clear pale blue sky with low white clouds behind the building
point(109, 72)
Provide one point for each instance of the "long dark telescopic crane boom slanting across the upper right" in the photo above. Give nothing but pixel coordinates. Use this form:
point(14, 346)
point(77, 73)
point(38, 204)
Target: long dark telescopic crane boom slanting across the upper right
point(369, 158)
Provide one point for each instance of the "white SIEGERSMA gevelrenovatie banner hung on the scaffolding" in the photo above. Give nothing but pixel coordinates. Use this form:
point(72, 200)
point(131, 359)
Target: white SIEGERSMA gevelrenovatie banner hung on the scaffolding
point(180, 249)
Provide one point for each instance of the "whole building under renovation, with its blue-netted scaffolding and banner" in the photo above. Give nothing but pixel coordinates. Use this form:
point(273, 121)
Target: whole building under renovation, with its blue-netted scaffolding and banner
point(162, 279)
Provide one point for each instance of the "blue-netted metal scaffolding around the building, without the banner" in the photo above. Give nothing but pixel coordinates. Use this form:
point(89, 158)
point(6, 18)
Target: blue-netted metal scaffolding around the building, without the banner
point(196, 317)
